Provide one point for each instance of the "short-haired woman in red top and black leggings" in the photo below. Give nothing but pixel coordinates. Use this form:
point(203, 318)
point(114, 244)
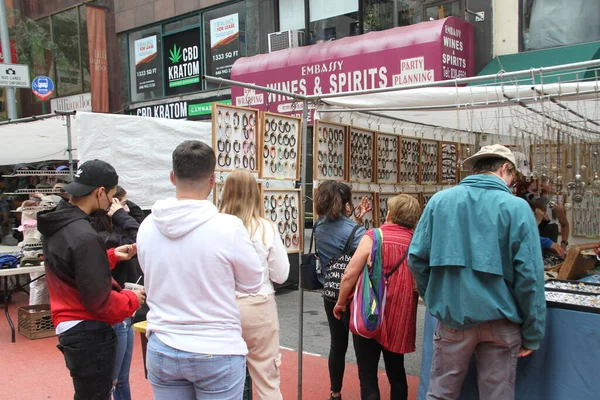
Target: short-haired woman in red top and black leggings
point(398, 332)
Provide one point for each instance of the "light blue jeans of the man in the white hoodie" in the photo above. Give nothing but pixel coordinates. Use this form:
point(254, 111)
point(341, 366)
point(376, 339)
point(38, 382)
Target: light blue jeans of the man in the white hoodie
point(179, 375)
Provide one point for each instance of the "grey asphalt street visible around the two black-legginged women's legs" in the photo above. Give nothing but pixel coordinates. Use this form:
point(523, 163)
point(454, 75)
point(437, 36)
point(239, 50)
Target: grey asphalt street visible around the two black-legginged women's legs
point(316, 330)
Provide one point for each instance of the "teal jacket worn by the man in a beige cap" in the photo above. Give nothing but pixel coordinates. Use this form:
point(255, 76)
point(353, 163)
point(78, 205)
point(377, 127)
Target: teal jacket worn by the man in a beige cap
point(476, 257)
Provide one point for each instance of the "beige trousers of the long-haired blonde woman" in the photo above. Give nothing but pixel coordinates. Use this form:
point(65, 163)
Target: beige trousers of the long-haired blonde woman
point(260, 330)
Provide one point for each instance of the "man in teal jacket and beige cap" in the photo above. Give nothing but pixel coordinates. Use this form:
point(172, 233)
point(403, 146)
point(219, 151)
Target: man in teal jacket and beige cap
point(478, 264)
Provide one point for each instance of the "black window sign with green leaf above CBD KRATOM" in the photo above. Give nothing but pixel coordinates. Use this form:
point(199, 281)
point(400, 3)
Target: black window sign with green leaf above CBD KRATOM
point(182, 58)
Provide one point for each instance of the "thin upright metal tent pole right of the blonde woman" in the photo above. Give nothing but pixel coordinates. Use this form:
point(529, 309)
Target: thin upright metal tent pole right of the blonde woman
point(300, 289)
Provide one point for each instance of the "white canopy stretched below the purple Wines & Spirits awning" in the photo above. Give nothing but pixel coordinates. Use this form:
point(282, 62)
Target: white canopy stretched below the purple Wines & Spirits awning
point(458, 112)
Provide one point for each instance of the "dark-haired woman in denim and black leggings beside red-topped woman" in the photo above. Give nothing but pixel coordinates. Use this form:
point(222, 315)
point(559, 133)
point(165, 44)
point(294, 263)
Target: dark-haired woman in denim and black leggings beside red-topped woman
point(333, 205)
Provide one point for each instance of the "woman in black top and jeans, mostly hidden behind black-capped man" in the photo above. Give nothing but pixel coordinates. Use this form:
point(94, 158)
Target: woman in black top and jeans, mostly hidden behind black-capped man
point(117, 228)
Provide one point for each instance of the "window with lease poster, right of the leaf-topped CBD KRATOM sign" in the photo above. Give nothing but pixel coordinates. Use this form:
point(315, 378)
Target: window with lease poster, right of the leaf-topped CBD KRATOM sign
point(224, 39)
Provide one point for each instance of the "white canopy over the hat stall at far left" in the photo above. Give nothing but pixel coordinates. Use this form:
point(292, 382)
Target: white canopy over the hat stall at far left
point(35, 141)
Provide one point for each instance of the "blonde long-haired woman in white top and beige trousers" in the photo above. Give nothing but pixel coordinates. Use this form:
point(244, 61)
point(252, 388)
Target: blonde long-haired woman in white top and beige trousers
point(260, 323)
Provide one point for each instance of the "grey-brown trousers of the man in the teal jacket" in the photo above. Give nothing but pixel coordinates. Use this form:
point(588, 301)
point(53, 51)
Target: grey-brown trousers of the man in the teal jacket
point(496, 345)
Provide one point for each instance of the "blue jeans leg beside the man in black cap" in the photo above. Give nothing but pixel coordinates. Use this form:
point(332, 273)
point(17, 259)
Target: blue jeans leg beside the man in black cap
point(125, 337)
